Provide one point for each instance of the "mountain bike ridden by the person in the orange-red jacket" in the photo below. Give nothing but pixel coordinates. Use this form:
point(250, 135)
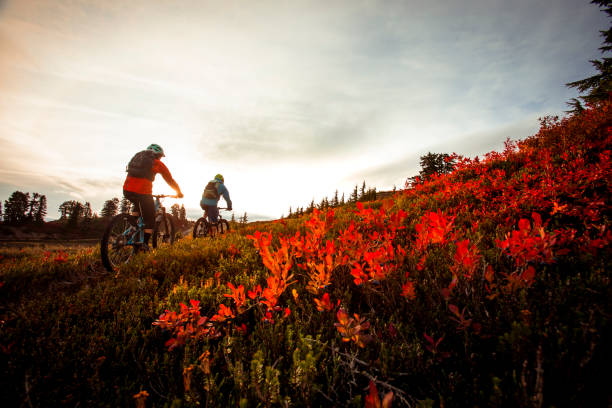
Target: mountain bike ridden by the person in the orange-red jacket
point(122, 239)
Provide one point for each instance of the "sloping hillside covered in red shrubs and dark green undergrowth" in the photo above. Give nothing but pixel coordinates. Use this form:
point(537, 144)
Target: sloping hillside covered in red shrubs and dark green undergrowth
point(489, 286)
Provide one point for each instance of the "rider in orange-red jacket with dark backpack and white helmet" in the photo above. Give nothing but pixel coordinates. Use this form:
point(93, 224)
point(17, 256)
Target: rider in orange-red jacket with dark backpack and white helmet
point(138, 186)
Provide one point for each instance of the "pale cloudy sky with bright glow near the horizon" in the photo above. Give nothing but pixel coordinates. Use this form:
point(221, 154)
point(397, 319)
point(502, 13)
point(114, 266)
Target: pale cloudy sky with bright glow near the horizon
point(289, 100)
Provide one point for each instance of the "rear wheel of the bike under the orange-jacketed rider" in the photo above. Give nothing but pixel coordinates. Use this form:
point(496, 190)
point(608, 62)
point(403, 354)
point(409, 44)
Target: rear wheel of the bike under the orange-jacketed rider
point(114, 247)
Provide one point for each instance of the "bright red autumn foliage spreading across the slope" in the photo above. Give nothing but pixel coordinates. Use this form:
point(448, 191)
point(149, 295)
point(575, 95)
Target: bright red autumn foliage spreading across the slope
point(540, 199)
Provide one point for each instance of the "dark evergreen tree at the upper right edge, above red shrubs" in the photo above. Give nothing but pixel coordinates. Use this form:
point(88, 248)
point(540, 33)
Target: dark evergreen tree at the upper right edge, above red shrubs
point(598, 87)
